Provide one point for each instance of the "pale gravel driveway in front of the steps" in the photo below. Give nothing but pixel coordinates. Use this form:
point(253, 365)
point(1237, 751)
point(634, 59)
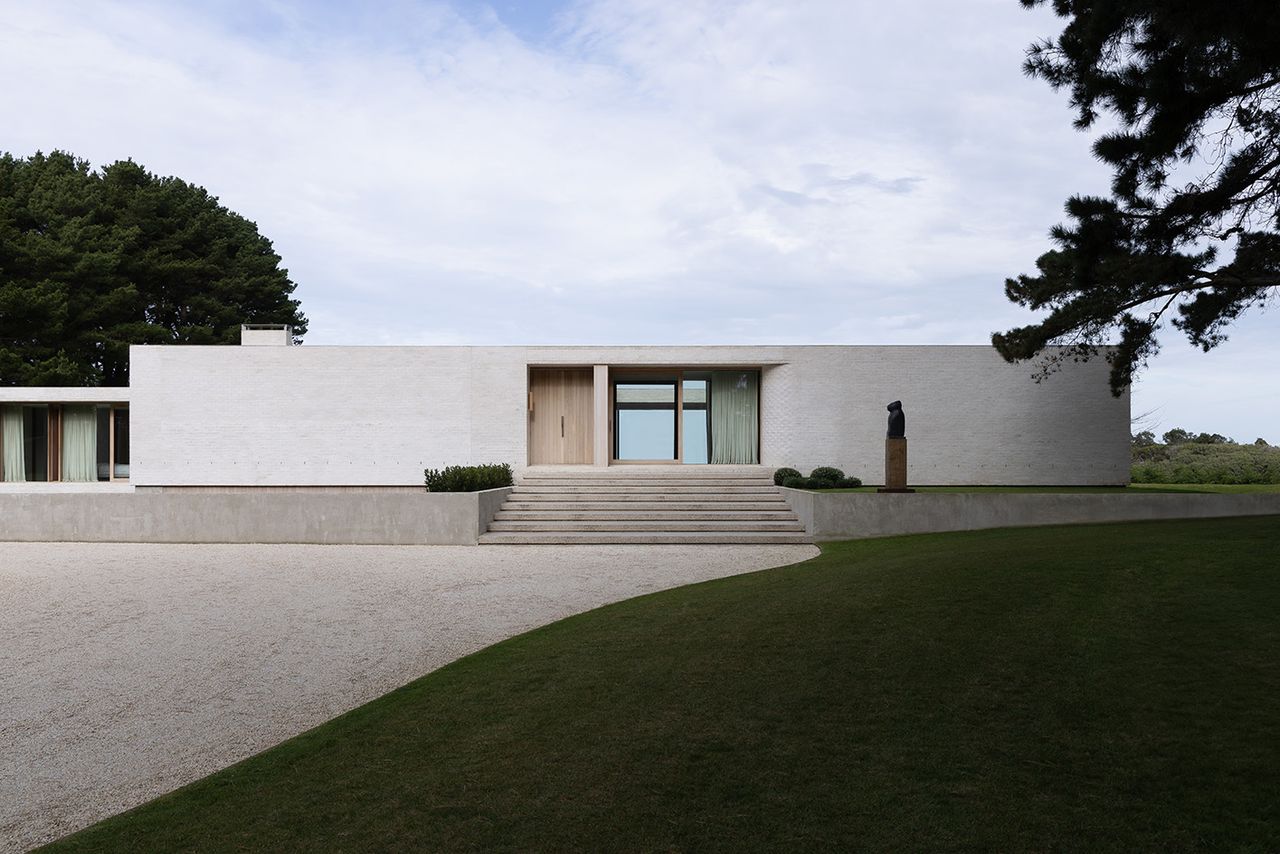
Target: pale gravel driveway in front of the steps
point(130, 670)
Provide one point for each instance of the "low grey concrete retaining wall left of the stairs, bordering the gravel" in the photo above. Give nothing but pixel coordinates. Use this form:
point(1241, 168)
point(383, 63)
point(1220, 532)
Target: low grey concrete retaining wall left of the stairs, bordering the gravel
point(388, 519)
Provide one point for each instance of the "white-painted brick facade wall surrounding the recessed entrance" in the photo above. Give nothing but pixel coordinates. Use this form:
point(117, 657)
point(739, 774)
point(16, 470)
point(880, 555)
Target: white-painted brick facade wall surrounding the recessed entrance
point(380, 415)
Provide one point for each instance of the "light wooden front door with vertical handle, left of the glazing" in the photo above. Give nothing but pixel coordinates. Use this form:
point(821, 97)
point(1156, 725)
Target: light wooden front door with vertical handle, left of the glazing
point(561, 424)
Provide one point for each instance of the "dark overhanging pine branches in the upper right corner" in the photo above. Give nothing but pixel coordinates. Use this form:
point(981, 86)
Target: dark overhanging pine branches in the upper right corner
point(1190, 232)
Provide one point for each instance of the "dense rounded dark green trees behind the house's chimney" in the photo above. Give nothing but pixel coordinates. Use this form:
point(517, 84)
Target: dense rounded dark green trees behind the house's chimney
point(94, 262)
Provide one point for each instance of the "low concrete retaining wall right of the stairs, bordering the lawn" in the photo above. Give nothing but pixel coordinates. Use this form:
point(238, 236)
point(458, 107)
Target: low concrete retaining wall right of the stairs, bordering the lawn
point(831, 517)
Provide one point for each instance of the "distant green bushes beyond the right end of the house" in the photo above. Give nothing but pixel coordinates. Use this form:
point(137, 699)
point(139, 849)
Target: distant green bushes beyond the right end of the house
point(1196, 463)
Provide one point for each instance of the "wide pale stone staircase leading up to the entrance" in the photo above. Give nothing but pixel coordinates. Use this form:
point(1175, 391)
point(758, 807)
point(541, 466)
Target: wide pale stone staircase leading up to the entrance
point(638, 505)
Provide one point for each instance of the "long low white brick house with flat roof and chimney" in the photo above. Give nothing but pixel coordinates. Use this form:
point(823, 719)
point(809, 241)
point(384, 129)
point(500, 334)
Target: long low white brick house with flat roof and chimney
point(376, 417)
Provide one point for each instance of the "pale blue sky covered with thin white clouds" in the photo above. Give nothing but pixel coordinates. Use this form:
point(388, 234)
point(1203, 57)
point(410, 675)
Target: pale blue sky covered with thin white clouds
point(611, 171)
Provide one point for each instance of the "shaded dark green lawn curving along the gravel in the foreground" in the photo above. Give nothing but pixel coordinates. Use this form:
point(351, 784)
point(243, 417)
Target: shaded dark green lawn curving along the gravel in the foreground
point(1108, 688)
